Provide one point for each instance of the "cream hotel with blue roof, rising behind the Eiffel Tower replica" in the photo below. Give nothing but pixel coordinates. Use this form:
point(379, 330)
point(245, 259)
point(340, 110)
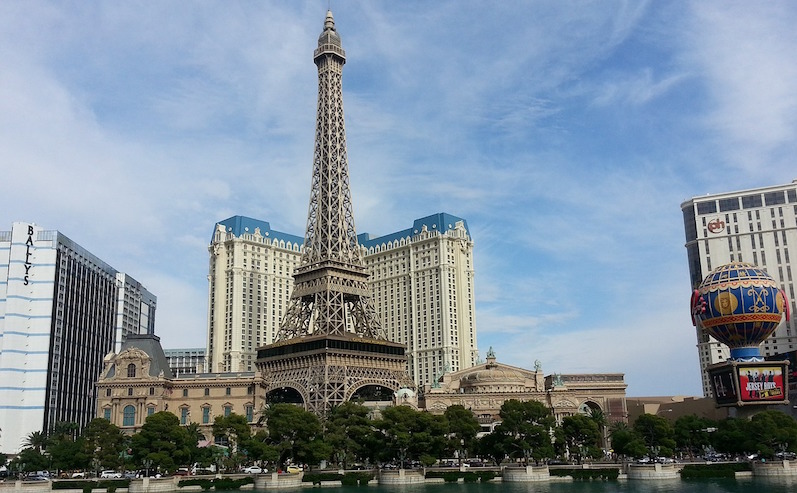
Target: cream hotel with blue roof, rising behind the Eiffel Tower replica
point(421, 280)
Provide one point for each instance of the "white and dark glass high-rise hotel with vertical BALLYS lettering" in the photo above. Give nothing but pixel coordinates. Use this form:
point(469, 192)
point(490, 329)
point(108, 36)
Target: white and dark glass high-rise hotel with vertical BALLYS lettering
point(62, 310)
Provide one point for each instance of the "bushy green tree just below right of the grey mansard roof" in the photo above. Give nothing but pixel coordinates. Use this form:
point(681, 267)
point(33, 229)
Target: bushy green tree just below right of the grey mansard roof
point(162, 442)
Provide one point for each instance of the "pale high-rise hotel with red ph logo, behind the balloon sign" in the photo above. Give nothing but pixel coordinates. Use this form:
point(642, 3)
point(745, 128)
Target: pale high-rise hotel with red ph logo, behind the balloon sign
point(758, 226)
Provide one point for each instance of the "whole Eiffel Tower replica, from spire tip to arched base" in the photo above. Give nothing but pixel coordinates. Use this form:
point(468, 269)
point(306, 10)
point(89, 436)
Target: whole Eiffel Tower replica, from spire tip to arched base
point(331, 346)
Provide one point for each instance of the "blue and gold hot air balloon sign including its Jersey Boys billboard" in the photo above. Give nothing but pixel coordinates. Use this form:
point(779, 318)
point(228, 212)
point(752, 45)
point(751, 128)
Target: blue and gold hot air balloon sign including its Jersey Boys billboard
point(741, 305)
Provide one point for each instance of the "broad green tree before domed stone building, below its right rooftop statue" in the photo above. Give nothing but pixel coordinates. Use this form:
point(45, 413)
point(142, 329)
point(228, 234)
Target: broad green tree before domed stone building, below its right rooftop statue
point(529, 423)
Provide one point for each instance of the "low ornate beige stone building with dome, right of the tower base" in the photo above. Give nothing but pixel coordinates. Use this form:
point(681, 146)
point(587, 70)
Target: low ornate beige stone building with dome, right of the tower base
point(484, 388)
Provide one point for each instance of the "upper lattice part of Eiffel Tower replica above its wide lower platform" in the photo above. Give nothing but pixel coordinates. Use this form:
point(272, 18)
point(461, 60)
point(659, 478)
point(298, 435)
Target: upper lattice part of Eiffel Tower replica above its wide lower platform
point(331, 294)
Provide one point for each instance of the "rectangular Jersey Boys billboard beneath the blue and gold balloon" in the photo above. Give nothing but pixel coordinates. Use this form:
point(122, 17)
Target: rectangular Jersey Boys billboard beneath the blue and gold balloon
point(737, 383)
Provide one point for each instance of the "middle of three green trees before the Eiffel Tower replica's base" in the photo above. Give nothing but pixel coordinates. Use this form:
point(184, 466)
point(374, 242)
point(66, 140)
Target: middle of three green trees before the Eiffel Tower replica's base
point(348, 429)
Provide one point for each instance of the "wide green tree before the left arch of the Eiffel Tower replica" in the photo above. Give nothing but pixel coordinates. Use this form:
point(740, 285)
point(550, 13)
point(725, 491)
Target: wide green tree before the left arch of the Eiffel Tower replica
point(295, 433)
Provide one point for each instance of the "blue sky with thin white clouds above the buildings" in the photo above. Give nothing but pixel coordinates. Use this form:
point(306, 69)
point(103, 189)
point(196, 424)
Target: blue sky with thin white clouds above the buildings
point(566, 133)
